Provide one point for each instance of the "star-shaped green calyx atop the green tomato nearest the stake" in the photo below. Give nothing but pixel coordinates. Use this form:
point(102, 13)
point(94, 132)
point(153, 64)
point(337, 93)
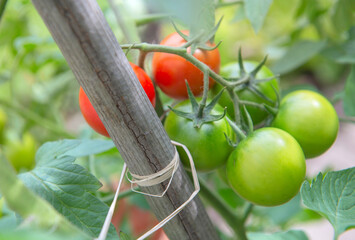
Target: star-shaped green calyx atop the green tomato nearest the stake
point(201, 113)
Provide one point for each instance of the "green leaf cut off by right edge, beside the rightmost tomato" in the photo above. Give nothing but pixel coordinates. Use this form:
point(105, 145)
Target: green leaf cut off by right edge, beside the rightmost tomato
point(349, 97)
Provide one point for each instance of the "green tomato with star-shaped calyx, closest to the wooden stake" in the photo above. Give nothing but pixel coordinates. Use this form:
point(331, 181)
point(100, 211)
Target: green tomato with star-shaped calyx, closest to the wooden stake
point(207, 144)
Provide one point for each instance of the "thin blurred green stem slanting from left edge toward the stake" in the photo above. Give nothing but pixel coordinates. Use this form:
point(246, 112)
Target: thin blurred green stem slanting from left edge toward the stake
point(32, 116)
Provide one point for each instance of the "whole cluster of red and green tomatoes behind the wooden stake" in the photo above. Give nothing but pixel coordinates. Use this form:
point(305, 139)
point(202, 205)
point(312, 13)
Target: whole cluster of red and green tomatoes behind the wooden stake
point(267, 165)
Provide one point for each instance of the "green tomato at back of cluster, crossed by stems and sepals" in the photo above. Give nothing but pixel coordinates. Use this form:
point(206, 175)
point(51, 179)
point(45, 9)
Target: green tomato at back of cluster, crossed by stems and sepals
point(257, 114)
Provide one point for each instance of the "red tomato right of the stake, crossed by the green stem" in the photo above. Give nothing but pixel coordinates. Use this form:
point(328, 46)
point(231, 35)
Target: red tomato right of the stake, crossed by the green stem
point(170, 71)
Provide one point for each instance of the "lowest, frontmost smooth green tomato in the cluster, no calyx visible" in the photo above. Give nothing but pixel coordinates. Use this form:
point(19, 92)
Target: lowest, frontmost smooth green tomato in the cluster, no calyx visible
point(267, 167)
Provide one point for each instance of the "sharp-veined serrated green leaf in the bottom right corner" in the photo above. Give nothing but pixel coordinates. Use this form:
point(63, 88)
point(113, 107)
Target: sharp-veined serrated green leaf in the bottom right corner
point(333, 197)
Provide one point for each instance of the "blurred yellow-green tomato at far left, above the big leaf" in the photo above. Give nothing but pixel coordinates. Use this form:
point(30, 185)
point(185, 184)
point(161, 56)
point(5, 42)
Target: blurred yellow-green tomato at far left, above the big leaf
point(21, 154)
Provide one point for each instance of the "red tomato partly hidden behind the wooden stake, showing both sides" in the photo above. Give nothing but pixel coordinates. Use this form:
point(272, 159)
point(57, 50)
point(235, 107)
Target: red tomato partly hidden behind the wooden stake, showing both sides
point(89, 112)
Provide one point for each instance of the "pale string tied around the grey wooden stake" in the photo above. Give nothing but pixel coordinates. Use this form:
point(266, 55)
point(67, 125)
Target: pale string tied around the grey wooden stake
point(152, 180)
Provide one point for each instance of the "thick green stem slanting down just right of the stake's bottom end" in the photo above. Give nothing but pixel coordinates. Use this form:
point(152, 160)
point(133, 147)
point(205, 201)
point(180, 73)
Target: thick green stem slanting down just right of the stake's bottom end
point(222, 208)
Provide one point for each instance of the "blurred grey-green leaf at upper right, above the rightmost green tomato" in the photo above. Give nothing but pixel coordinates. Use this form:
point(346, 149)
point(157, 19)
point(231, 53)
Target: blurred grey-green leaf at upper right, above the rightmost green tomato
point(297, 55)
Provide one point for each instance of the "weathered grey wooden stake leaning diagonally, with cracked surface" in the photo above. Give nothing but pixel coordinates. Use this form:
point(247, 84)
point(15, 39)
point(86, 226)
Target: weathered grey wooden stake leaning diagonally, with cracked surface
point(101, 68)
